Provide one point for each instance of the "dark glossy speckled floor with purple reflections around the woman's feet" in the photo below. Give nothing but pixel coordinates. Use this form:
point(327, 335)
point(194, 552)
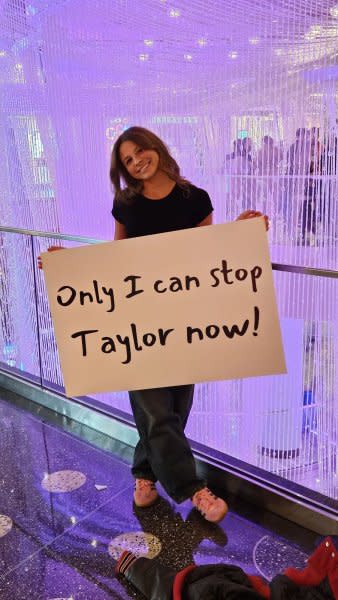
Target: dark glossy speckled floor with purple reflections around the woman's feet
point(66, 513)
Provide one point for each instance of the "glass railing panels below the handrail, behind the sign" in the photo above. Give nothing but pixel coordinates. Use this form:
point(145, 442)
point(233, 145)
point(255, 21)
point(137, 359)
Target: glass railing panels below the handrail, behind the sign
point(281, 429)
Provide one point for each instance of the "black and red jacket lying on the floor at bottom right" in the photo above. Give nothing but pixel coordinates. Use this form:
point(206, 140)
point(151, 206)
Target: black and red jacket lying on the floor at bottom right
point(318, 581)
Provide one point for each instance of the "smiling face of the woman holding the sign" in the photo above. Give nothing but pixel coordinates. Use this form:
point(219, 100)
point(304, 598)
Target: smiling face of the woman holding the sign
point(140, 163)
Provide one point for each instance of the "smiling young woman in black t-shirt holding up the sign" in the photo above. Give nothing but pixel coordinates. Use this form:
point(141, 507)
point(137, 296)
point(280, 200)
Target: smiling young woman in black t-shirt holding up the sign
point(152, 197)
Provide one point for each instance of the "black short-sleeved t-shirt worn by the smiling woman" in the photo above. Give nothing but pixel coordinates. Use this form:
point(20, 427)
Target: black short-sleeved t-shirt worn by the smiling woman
point(181, 209)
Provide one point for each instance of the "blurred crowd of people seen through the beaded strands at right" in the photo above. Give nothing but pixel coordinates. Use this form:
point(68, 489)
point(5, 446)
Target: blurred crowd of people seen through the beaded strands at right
point(297, 186)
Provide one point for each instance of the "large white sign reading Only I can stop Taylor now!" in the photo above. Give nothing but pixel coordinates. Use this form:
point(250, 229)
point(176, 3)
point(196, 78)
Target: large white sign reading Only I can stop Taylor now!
point(167, 309)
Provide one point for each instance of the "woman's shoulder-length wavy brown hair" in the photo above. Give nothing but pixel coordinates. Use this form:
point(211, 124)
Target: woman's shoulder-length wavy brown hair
point(149, 141)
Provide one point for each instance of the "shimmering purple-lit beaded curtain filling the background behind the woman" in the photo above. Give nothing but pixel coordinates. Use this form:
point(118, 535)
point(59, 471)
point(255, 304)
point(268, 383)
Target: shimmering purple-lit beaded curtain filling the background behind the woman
point(245, 96)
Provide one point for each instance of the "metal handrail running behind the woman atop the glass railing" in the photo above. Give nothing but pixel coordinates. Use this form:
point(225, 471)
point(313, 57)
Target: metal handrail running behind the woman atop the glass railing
point(76, 238)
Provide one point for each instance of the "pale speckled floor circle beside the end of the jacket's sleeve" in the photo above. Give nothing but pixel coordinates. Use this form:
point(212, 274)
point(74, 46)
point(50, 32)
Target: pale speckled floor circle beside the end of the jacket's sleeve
point(139, 543)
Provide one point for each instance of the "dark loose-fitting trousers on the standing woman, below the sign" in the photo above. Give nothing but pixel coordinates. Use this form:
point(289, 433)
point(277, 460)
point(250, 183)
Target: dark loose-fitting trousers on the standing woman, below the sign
point(163, 451)
